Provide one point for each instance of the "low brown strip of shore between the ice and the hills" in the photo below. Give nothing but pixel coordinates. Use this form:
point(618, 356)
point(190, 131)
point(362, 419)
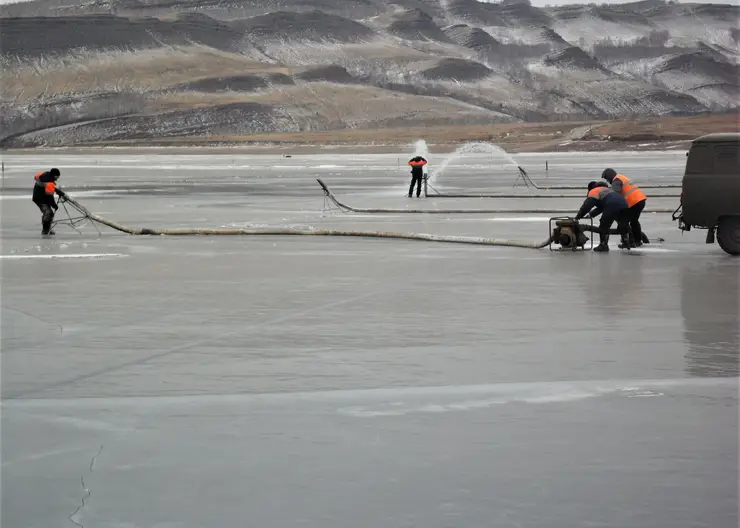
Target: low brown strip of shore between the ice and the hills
point(631, 135)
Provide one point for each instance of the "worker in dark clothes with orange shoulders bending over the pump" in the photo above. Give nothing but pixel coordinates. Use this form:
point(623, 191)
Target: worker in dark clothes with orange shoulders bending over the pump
point(602, 199)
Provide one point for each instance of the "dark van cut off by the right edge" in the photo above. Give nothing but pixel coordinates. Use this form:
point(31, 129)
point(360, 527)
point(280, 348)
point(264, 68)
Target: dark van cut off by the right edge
point(710, 190)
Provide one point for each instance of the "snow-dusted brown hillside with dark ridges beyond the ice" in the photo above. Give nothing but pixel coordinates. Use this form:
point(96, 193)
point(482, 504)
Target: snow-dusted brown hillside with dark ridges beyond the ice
point(113, 69)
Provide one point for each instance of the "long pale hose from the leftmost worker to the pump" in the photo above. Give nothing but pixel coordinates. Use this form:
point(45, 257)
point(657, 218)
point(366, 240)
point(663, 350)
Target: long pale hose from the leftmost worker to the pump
point(292, 231)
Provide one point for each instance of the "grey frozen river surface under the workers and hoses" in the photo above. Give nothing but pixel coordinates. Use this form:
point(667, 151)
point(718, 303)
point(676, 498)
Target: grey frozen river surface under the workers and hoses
point(334, 383)
